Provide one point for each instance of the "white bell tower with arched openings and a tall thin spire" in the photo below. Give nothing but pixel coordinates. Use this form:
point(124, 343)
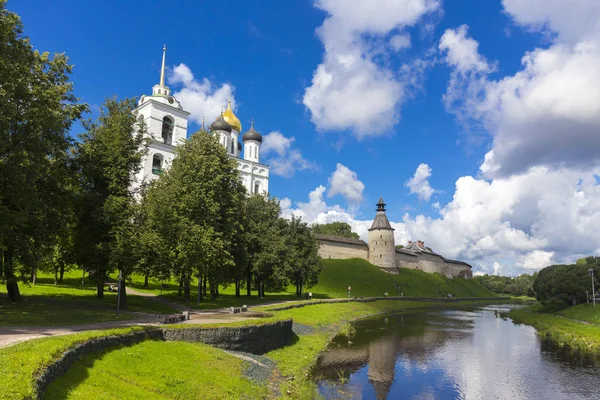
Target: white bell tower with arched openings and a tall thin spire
point(166, 125)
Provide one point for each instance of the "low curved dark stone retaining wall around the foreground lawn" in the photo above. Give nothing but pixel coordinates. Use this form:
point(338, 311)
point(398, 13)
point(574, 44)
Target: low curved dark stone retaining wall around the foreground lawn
point(256, 339)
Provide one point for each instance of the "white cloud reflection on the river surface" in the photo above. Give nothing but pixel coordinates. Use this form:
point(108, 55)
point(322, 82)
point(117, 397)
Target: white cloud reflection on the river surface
point(500, 362)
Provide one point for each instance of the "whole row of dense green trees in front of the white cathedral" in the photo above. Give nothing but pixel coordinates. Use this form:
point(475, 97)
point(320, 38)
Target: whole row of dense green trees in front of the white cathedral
point(67, 203)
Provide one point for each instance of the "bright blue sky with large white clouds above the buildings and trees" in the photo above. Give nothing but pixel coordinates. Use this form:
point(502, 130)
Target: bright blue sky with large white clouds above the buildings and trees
point(478, 122)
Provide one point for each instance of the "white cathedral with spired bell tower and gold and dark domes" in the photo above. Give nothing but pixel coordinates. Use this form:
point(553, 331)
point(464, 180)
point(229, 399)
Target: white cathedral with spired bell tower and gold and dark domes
point(167, 124)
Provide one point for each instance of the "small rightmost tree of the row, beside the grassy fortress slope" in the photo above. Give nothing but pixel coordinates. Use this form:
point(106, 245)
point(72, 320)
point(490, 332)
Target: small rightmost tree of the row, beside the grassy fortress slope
point(303, 263)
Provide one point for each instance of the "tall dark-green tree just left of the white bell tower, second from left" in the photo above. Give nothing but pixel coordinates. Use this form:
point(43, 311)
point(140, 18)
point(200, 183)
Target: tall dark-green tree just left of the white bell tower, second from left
point(108, 156)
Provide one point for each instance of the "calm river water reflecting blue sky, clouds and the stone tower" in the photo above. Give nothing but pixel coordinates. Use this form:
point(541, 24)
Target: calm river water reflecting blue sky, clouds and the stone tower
point(452, 355)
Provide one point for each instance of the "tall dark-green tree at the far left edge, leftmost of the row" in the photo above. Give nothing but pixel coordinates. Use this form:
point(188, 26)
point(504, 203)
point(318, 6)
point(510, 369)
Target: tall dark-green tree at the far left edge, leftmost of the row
point(36, 113)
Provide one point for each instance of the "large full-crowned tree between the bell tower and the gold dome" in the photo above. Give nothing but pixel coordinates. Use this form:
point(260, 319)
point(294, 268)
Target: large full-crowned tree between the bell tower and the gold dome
point(194, 209)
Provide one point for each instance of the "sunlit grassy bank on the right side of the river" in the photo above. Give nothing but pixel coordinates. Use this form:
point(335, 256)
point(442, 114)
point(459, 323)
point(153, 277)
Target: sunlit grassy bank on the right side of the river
point(573, 327)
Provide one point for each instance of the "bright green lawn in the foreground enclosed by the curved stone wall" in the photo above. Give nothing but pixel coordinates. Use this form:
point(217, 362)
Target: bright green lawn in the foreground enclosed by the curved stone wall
point(158, 370)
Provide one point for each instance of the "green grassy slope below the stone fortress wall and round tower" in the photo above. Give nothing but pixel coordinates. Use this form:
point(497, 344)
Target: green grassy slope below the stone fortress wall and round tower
point(368, 280)
